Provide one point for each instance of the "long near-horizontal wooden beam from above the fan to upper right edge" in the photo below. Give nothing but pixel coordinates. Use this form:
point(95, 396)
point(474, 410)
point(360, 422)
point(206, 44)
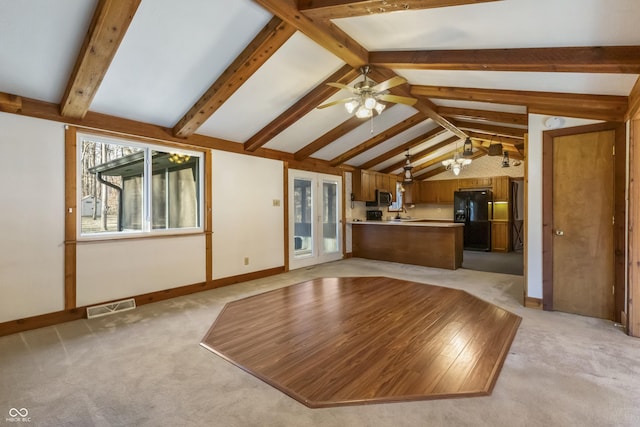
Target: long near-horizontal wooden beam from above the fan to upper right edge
point(591, 59)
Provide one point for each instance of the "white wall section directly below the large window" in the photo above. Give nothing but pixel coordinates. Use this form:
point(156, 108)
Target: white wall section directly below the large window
point(109, 270)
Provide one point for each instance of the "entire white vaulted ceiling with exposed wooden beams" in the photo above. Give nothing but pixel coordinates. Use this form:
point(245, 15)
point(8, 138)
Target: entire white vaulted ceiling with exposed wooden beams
point(250, 74)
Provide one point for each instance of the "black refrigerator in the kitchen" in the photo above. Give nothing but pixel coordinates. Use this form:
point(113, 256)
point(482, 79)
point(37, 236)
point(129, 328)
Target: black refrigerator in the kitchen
point(473, 208)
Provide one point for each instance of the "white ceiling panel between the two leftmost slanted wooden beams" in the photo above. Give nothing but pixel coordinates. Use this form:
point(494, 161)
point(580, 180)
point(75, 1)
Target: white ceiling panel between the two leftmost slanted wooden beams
point(172, 54)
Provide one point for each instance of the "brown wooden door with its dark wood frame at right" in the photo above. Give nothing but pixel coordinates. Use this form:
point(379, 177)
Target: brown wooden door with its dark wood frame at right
point(580, 205)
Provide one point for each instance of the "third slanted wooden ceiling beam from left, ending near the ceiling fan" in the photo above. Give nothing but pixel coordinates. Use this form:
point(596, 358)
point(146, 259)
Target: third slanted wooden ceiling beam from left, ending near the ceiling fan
point(320, 93)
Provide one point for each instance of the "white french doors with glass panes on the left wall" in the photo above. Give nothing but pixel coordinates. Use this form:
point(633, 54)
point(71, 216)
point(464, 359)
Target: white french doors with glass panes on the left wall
point(315, 218)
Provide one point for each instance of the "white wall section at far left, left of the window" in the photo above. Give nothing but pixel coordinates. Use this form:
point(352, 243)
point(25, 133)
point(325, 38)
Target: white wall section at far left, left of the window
point(31, 217)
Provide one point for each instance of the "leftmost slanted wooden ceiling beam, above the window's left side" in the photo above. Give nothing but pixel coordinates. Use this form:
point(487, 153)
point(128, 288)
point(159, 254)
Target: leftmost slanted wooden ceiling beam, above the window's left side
point(110, 22)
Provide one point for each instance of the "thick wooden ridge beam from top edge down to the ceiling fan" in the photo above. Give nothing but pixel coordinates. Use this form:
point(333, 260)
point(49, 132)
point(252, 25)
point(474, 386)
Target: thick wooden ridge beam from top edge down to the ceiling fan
point(323, 32)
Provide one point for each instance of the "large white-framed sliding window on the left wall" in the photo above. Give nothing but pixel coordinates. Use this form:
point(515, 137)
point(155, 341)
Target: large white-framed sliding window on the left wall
point(131, 187)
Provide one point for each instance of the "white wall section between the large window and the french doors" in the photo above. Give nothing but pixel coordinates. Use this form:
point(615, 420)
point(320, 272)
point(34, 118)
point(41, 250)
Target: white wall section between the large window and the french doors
point(245, 222)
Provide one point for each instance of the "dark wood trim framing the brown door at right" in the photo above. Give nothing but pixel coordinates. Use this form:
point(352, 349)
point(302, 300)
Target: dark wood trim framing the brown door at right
point(619, 209)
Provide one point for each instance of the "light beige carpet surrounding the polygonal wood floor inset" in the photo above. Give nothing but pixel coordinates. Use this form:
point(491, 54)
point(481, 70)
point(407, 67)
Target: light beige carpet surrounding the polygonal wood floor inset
point(146, 368)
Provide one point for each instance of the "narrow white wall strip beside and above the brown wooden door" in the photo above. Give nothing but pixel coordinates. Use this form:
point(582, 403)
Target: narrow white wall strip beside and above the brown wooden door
point(534, 203)
